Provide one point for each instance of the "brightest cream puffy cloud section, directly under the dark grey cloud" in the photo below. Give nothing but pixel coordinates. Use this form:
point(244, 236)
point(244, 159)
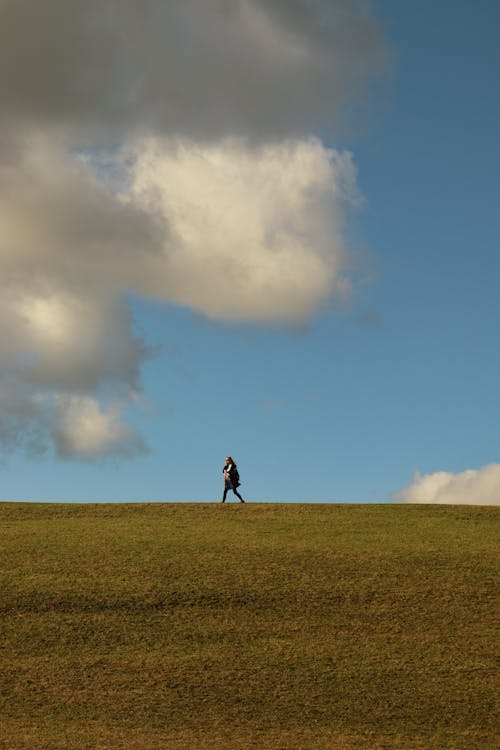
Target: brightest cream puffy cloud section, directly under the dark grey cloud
point(255, 232)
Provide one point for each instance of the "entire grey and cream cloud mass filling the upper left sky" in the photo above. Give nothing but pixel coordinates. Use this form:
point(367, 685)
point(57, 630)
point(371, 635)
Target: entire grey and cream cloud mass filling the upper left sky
point(162, 149)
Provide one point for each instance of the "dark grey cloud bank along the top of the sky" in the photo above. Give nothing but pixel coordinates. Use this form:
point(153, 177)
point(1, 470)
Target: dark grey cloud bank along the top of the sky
point(202, 68)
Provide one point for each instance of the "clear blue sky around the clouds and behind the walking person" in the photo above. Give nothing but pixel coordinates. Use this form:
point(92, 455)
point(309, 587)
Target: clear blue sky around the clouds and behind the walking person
point(346, 404)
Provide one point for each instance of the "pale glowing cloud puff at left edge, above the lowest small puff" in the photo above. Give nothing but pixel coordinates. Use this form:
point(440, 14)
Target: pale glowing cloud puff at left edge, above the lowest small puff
point(63, 340)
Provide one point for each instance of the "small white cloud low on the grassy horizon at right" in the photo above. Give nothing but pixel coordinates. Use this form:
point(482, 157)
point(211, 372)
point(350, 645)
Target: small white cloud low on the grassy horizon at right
point(471, 487)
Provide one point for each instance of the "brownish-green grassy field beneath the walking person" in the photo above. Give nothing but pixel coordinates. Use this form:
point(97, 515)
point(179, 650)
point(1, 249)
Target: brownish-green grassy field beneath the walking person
point(192, 626)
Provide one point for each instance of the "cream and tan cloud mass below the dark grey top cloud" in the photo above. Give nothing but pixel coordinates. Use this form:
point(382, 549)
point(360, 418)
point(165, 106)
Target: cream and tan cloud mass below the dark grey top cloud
point(237, 231)
